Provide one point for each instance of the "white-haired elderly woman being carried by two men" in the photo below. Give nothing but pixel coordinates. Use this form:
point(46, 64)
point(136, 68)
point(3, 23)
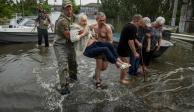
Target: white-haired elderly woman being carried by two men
point(90, 47)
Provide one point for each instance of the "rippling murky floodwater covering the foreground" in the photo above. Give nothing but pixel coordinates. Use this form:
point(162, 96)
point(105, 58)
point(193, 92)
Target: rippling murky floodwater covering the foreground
point(28, 82)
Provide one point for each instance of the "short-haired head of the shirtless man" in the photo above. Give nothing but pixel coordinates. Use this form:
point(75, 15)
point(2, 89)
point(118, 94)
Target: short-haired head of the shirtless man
point(101, 18)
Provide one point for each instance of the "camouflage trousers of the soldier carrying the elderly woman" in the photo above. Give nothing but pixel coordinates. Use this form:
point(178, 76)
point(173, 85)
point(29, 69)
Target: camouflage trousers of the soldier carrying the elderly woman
point(67, 64)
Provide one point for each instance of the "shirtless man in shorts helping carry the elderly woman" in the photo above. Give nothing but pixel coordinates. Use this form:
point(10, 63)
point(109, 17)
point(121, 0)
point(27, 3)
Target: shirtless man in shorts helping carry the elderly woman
point(103, 33)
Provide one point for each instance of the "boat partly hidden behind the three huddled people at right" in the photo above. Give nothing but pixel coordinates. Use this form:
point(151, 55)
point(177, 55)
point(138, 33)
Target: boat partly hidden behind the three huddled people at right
point(165, 44)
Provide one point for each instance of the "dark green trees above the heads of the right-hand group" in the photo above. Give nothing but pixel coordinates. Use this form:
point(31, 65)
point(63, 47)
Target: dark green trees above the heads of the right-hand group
point(125, 9)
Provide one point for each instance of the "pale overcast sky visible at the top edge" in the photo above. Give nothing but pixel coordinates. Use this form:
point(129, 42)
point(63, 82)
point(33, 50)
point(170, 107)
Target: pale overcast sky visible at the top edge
point(83, 2)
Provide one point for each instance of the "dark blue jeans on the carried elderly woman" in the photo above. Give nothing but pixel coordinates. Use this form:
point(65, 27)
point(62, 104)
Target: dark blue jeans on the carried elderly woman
point(101, 48)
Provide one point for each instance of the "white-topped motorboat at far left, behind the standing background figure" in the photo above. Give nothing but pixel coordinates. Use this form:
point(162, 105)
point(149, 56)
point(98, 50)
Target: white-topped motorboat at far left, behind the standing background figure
point(21, 32)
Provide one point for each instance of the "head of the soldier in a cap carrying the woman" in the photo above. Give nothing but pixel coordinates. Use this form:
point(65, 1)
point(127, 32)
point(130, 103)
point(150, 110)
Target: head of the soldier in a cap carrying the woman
point(67, 8)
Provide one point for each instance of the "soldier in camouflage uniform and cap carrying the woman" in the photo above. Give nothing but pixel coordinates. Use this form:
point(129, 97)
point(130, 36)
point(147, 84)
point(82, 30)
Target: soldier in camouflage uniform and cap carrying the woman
point(64, 48)
